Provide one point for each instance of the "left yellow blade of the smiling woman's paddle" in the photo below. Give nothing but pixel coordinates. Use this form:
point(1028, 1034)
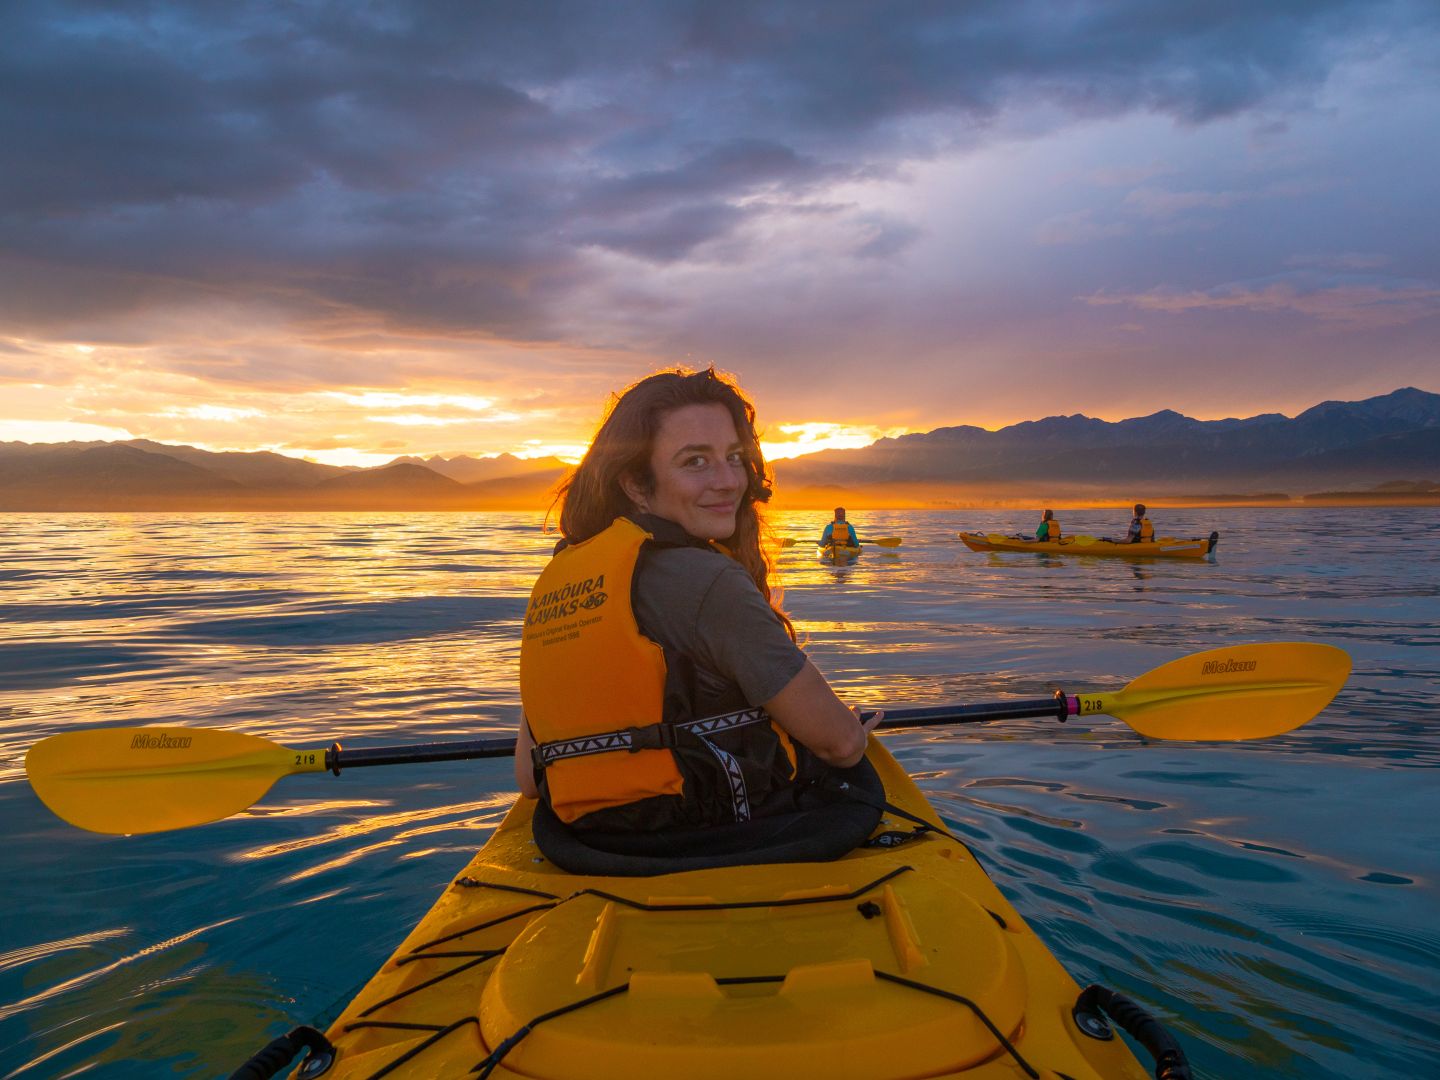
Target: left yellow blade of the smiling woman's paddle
point(150, 780)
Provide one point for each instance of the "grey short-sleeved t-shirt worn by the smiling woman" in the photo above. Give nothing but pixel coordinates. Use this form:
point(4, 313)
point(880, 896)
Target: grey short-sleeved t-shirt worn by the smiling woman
point(705, 606)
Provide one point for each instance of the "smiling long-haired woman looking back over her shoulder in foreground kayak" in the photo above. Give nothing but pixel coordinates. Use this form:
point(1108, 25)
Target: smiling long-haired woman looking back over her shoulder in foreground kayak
point(660, 680)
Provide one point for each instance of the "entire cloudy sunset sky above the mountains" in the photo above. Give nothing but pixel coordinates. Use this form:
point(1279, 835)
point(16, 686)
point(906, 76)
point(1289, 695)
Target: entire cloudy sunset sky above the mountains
point(351, 231)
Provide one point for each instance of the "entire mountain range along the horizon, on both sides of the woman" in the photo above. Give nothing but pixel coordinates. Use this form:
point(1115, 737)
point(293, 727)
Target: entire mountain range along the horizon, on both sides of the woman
point(1387, 447)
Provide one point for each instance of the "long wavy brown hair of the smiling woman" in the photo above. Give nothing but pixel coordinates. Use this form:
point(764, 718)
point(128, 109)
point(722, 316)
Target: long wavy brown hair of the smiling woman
point(593, 498)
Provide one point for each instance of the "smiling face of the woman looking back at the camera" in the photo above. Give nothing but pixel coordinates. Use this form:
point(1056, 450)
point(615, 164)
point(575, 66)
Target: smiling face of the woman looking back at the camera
point(699, 467)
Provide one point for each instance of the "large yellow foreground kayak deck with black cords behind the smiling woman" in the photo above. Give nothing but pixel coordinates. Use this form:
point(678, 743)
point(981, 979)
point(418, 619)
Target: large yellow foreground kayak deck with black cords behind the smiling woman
point(901, 960)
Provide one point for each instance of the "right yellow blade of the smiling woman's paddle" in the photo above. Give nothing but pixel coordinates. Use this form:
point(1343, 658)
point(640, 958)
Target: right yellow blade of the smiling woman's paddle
point(1243, 692)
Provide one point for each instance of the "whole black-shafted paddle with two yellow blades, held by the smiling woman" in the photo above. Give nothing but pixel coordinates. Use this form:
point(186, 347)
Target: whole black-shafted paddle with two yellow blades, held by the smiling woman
point(149, 780)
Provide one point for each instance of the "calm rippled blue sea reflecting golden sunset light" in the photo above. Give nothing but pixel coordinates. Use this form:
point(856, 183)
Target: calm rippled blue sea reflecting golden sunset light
point(1277, 902)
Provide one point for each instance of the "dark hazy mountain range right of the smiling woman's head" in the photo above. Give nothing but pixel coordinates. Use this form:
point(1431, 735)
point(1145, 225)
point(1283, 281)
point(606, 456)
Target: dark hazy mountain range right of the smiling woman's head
point(1336, 446)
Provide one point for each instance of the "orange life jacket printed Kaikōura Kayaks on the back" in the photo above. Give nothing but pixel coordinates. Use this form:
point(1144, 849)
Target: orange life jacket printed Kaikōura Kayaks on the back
point(610, 722)
